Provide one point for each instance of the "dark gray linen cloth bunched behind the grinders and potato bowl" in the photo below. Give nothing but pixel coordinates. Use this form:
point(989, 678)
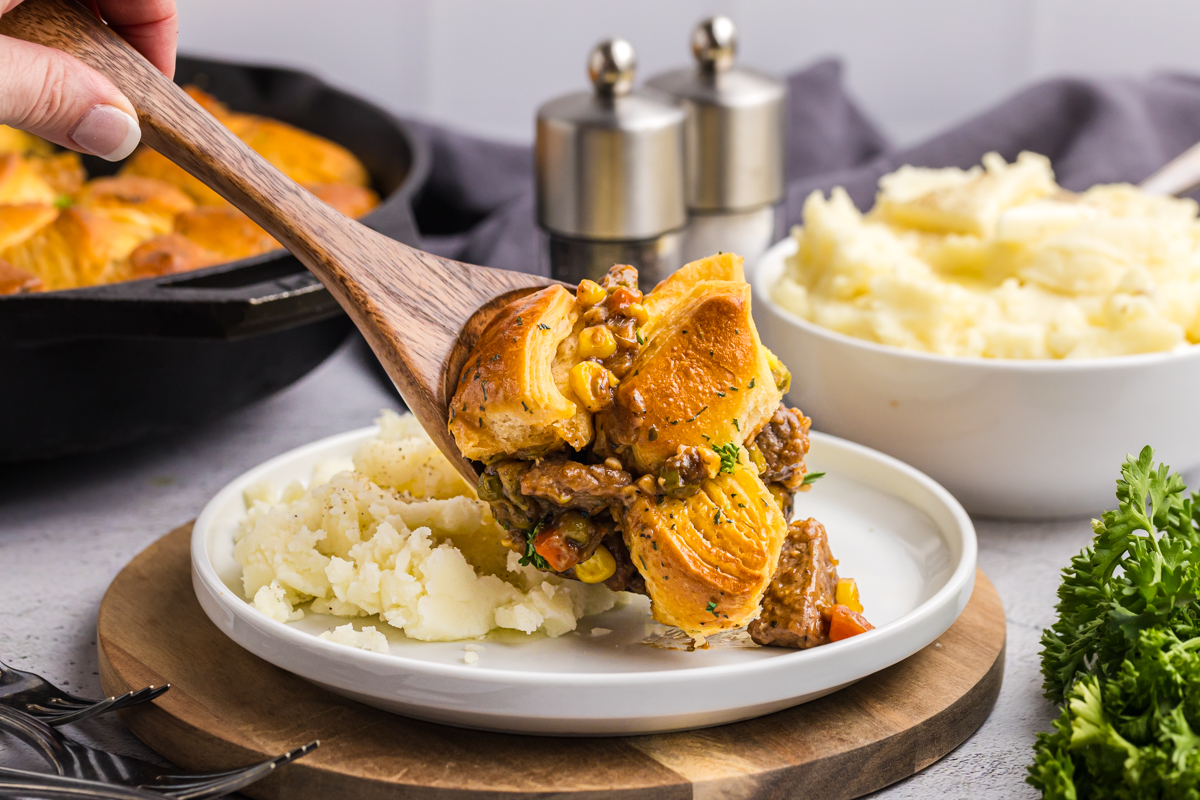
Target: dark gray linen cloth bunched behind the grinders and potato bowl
point(478, 206)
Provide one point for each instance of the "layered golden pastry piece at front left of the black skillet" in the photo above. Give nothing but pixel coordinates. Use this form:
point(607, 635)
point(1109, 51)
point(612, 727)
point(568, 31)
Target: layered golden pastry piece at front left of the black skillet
point(80, 249)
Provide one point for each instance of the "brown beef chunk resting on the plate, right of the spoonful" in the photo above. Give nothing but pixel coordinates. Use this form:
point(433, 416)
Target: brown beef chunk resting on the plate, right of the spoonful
point(796, 606)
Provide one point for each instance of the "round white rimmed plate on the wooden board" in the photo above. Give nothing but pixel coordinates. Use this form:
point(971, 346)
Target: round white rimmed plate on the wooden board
point(907, 542)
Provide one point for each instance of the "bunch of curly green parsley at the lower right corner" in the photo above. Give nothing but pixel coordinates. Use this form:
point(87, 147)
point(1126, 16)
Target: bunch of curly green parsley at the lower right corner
point(1124, 658)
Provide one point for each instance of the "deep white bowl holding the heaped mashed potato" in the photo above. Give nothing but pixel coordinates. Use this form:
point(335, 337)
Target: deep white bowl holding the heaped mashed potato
point(1010, 438)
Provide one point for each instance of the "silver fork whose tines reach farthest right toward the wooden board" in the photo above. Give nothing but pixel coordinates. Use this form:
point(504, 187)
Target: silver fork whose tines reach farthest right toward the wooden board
point(74, 760)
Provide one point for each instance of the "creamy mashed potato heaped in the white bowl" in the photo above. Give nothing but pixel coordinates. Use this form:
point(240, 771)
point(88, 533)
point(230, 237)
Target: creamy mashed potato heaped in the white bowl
point(999, 262)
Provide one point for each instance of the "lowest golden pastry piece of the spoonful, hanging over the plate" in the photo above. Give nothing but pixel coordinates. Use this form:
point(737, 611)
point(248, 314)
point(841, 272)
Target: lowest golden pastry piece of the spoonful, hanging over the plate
point(709, 558)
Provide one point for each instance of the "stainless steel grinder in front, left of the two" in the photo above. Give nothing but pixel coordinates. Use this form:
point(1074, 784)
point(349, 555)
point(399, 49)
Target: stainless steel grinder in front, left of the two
point(610, 176)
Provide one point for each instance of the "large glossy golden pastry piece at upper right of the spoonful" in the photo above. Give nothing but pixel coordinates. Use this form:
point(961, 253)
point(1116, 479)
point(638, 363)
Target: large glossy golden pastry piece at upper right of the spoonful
point(704, 378)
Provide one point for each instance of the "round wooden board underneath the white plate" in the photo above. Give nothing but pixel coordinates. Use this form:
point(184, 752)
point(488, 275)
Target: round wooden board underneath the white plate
point(229, 708)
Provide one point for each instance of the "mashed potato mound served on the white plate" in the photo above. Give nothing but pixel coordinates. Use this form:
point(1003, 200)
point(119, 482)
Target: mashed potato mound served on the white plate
point(401, 538)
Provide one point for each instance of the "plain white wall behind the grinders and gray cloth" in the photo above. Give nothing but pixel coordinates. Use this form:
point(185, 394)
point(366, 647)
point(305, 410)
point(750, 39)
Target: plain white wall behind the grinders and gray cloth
point(485, 65)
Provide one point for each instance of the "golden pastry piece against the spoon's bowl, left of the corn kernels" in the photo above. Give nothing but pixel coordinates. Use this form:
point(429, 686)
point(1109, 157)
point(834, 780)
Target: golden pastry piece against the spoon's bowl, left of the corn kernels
point(513, 396)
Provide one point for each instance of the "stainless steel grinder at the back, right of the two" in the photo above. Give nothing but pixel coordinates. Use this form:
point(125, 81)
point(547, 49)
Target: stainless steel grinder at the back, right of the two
point(735, 147)
